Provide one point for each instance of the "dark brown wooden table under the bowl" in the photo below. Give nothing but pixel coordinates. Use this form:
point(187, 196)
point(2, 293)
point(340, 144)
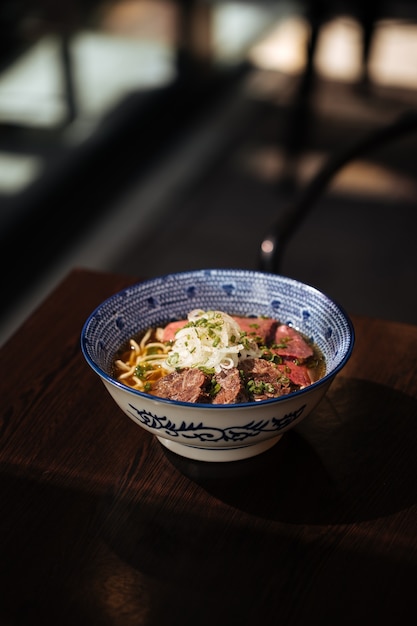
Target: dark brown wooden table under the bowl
point(100, 525)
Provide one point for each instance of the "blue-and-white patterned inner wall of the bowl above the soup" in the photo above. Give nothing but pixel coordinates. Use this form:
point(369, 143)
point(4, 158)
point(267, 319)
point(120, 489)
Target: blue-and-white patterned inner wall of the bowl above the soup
point(241, 292)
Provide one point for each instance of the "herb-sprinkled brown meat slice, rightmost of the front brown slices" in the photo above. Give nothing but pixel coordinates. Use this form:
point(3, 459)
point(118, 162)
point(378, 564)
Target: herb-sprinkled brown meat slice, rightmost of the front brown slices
point(263, 379)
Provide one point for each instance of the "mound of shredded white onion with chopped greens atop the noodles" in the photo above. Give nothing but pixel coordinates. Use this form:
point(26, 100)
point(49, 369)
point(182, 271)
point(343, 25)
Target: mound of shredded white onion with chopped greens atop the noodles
point(211, 339)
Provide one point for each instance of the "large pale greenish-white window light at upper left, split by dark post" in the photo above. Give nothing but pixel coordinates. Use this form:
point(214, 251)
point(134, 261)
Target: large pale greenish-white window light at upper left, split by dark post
point(105, 69)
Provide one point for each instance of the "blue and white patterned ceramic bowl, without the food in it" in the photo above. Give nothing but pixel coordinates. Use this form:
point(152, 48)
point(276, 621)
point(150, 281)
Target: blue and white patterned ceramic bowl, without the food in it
point(211, 432)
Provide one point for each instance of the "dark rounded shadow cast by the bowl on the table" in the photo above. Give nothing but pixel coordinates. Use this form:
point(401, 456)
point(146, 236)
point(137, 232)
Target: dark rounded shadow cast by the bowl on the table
point(352, 460)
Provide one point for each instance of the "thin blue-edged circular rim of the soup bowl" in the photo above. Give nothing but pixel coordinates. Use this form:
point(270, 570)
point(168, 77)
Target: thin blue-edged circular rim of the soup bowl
point(327, 378)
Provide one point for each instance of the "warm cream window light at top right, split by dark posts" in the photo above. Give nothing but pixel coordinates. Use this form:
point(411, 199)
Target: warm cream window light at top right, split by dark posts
point(393, 56)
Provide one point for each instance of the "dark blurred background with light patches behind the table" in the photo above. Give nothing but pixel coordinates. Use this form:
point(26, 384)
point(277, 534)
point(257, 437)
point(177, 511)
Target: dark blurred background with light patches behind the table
point(147, 137)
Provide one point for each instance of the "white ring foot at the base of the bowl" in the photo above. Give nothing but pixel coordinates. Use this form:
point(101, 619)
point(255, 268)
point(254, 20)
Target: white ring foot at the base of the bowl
point(218, 454)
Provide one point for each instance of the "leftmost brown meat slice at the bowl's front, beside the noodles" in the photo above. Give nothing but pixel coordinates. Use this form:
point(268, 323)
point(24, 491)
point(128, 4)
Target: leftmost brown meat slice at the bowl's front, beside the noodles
point(186, 385)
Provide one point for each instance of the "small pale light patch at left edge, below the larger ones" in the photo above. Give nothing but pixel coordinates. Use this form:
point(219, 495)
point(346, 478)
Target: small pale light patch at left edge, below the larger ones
point(17, 172)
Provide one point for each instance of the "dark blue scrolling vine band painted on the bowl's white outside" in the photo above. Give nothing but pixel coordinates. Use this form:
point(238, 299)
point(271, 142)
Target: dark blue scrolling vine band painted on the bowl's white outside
point(206, 434)
